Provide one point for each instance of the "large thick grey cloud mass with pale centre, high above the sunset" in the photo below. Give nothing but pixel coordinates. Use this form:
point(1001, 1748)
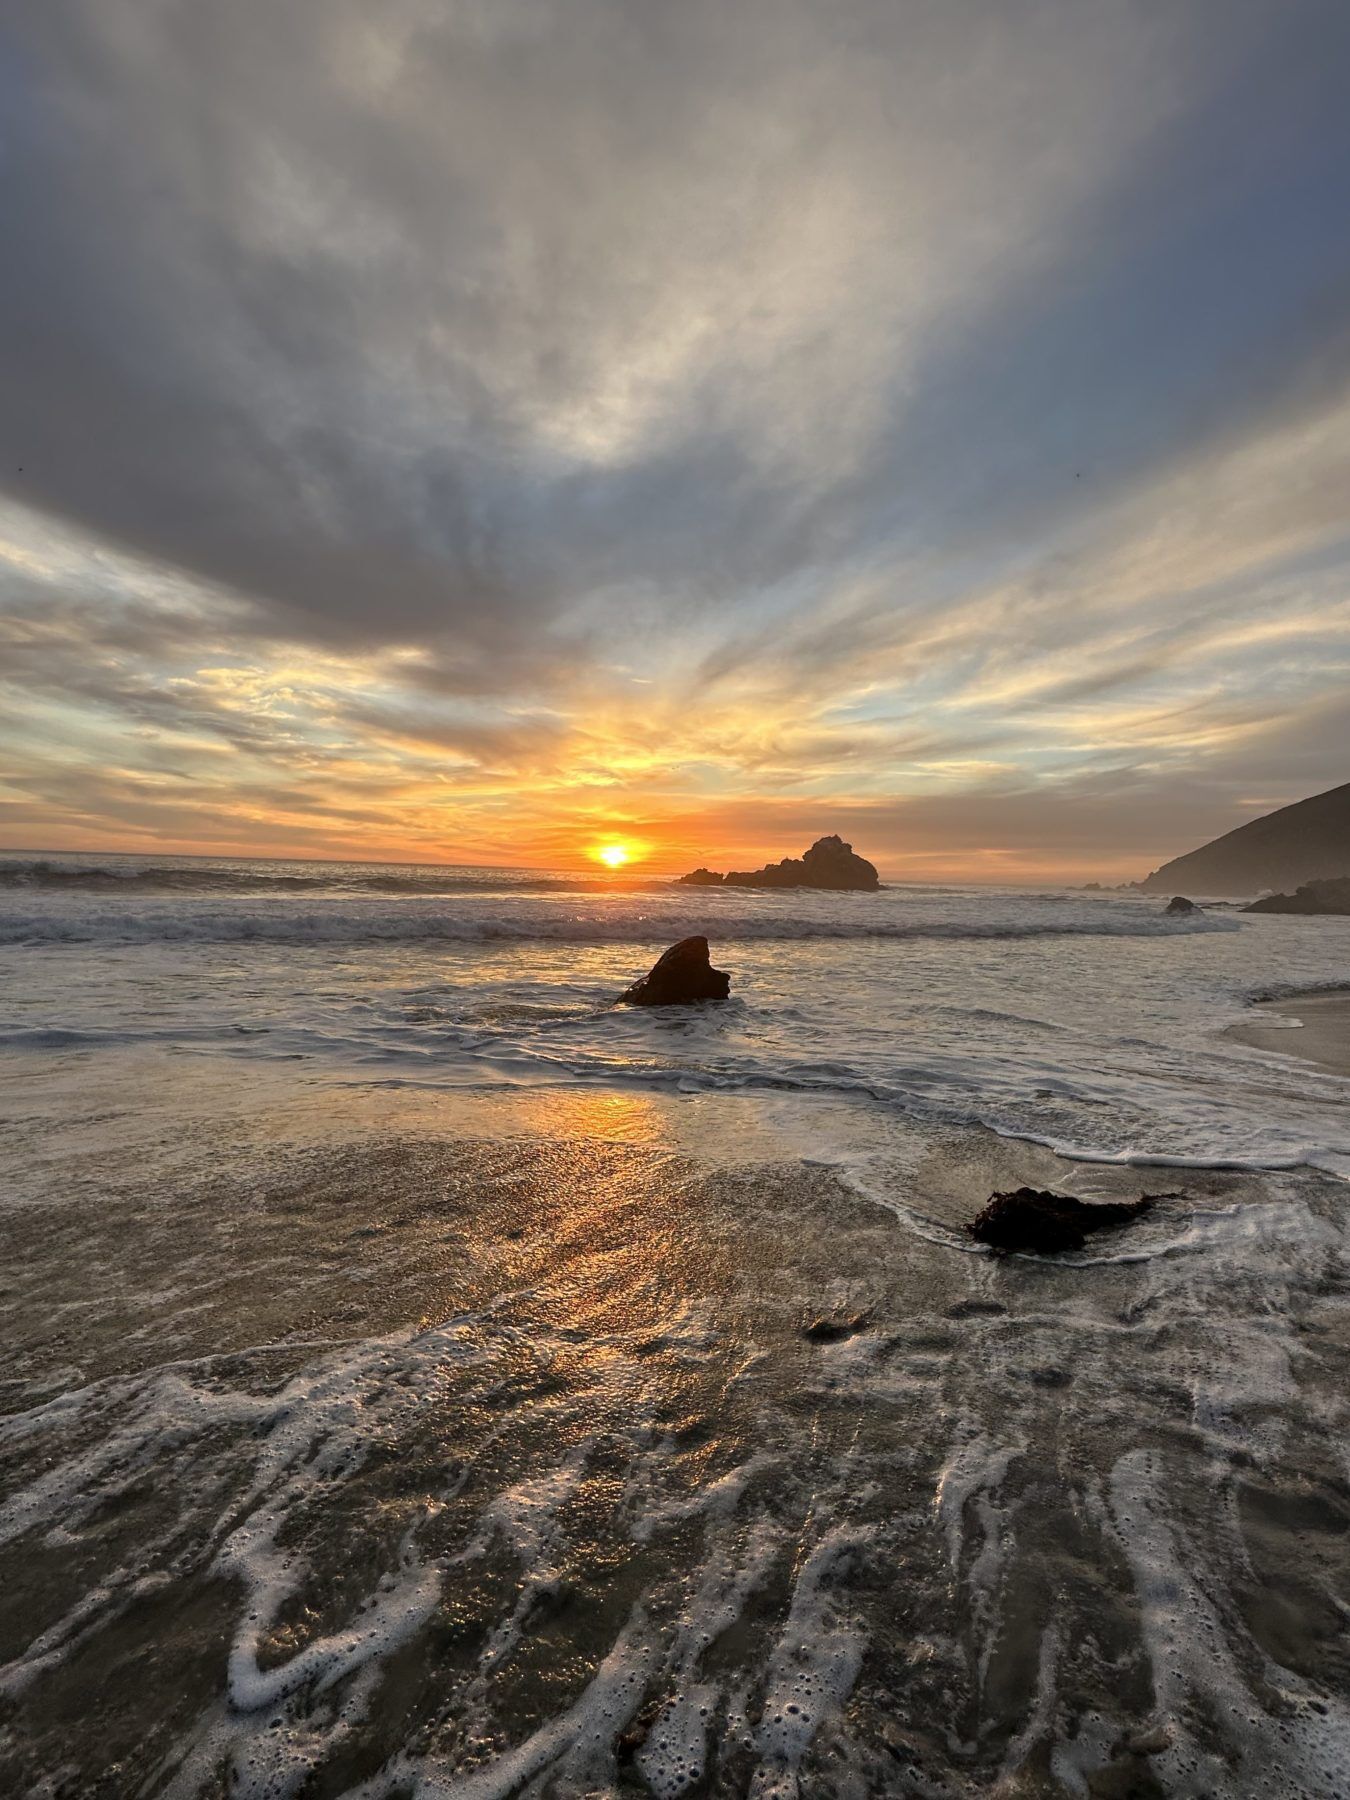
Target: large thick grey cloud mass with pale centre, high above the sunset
point(451, 316)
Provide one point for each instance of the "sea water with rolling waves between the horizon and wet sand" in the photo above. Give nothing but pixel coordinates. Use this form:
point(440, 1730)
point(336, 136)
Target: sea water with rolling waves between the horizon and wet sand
point(1090, 1023)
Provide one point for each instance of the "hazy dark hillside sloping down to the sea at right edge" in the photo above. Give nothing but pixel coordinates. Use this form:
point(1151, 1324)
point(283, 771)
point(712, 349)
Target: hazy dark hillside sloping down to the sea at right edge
point(1302, 843)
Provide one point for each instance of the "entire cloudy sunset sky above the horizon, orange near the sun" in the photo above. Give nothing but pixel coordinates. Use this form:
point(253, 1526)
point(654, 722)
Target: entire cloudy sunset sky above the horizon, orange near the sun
point(481, 431)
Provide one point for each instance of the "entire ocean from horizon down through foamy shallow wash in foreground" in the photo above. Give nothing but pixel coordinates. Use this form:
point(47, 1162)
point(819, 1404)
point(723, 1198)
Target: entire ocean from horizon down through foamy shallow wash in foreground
point(426, 1378)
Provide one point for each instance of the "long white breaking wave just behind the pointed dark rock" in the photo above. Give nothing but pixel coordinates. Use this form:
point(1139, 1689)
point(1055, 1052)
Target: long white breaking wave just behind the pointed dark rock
point(345, 924)
